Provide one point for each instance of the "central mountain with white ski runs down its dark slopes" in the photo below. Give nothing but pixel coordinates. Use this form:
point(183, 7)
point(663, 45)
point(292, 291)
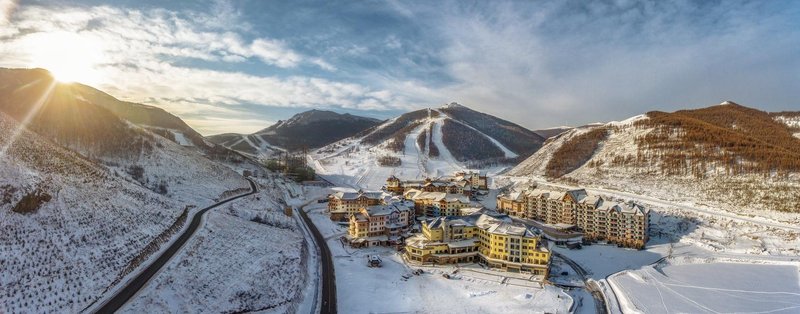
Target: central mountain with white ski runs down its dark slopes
point(427, 142)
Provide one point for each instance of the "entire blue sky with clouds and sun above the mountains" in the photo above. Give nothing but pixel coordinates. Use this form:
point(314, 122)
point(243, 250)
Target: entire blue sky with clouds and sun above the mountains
point(239, 66)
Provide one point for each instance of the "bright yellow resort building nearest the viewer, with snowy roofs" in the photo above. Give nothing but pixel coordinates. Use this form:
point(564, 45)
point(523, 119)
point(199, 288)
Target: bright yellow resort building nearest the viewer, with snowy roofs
point(485, 237)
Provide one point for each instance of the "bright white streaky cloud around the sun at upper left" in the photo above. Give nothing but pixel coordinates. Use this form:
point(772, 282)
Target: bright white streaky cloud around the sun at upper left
point(151, 56)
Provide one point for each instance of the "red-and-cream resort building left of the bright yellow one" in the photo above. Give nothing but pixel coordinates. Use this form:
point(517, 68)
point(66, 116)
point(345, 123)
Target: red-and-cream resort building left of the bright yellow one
point(380, 224)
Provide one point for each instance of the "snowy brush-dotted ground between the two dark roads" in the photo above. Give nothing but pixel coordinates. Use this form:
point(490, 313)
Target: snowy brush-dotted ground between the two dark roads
point(248, 256)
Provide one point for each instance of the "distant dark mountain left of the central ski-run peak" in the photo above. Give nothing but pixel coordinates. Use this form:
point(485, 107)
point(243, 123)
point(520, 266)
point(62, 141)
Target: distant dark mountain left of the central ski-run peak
point(310, 129)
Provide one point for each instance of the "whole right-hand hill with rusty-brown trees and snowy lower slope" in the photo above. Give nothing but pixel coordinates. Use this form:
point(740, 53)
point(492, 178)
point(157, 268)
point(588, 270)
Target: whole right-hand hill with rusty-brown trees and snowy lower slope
point(729, 155)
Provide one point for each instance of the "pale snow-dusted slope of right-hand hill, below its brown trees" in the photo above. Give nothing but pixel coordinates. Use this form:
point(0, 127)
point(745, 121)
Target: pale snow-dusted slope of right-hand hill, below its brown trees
point(619, 163)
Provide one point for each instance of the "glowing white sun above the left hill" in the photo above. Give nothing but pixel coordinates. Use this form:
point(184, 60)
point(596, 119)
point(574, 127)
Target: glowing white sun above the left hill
point(69, 57)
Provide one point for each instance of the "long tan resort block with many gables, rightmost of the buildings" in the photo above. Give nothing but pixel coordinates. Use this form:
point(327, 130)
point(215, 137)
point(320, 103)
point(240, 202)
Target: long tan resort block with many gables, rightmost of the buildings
point(625, 224)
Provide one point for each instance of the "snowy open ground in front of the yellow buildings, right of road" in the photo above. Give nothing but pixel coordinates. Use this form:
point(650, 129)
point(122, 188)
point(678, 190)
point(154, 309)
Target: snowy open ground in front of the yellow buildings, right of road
point(362, 289)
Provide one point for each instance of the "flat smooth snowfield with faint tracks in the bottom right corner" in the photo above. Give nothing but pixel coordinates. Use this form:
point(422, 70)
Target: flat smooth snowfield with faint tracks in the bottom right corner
point(709, 287)
